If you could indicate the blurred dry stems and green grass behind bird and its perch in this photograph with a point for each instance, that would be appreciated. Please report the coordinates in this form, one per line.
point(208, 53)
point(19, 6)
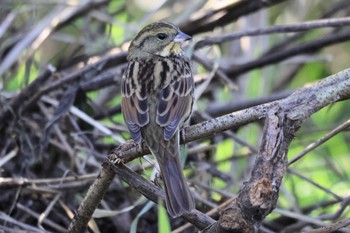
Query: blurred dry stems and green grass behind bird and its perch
point(60, 67)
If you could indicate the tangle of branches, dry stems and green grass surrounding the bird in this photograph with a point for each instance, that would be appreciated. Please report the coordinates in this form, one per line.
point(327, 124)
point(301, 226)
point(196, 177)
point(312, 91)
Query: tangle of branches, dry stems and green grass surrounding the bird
point(258, 155)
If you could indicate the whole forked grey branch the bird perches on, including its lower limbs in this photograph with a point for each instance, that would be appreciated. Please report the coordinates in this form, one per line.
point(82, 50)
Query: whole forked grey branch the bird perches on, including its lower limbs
point(258, 197)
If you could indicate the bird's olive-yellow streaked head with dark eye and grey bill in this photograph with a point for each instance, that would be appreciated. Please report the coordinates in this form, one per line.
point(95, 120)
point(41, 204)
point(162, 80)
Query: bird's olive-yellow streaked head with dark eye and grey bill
point(161, 39)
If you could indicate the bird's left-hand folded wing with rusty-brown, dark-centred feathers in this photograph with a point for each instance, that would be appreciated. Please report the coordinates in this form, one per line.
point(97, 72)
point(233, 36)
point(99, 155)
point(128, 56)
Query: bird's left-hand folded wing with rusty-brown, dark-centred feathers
point(134, 105)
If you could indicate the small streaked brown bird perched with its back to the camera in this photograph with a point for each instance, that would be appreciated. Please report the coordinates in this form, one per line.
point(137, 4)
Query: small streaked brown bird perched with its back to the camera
point(157, 100)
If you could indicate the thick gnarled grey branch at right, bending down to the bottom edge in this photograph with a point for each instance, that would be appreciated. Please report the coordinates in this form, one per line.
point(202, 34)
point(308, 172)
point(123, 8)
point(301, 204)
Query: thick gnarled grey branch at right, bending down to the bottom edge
point(258, 197)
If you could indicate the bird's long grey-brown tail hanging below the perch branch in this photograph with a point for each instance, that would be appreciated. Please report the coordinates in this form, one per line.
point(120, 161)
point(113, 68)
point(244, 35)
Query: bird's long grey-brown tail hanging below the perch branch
point(178, 196)
